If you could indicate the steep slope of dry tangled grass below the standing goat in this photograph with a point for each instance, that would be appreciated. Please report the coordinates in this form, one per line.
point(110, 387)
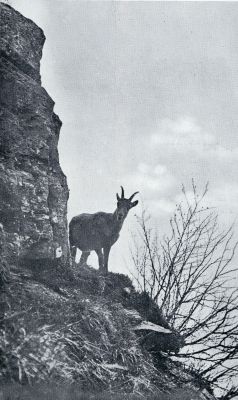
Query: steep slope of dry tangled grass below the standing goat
point(75, 341)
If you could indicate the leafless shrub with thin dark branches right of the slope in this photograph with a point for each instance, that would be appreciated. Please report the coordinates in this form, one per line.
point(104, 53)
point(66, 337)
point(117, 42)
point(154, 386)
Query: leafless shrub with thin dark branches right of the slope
point(190, 275)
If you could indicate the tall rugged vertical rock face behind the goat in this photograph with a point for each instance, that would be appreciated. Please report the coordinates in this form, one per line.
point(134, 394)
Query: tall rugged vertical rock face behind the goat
point(33, 188)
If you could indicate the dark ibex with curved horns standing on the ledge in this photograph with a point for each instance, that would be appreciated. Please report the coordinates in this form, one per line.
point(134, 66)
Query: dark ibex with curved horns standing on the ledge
point(99, 231)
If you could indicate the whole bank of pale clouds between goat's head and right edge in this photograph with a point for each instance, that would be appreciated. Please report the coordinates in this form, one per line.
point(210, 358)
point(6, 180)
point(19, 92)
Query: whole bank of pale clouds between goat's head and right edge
point(185, 150)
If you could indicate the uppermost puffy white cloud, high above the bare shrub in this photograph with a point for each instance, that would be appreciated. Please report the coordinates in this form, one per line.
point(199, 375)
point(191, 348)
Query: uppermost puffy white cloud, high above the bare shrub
point(185, 136)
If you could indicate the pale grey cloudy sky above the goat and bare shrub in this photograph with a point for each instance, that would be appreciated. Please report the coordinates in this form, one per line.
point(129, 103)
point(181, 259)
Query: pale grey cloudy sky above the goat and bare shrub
point(148, 96)
